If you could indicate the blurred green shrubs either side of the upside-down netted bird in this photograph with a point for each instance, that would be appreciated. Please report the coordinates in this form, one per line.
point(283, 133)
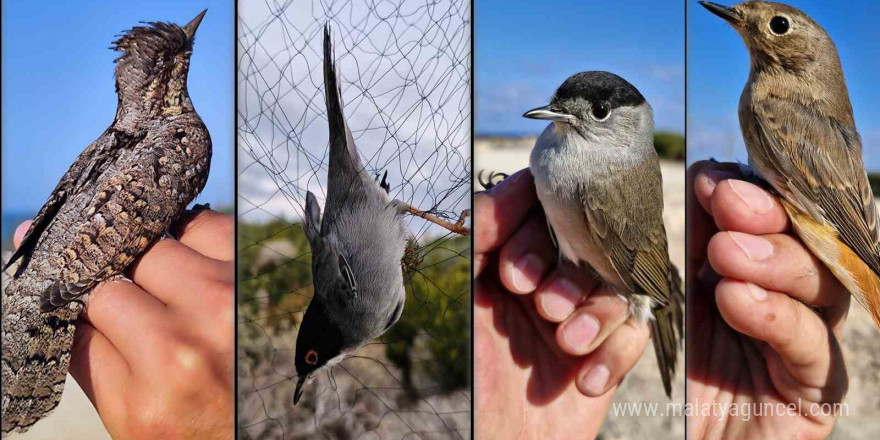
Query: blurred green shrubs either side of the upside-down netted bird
point(429, 344)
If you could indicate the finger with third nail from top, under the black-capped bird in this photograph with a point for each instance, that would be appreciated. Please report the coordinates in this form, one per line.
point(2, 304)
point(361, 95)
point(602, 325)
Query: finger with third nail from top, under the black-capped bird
point(588, 326)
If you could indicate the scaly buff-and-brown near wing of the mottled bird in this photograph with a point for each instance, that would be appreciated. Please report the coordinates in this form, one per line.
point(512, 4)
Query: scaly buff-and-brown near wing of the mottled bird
point(129, 210)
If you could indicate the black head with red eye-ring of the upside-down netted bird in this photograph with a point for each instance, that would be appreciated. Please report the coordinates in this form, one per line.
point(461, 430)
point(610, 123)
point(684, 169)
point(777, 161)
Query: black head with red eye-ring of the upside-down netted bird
point(318, 343)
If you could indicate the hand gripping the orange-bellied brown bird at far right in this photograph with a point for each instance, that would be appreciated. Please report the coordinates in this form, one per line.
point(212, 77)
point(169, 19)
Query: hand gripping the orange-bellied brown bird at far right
point(765, 316)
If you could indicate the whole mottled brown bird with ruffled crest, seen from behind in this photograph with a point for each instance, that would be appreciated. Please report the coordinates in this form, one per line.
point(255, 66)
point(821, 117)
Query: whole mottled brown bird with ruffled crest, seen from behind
point(117, 198)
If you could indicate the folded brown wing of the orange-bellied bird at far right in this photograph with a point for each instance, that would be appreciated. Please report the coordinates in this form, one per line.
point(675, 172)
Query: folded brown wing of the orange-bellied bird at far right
point(819, 166)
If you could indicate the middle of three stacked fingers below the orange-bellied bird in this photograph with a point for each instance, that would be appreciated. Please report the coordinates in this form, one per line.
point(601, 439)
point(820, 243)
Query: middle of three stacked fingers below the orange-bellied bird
point(776, 262)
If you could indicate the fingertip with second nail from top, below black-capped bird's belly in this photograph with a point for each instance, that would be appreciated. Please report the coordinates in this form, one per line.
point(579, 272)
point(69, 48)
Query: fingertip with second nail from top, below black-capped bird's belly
point(562, 291)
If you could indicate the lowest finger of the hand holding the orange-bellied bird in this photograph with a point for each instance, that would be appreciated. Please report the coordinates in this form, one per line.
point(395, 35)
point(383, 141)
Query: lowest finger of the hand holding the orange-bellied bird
point(794, 331)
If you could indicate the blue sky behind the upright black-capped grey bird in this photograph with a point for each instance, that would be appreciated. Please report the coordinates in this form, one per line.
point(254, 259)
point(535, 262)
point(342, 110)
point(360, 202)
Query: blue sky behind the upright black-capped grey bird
point(525, 49)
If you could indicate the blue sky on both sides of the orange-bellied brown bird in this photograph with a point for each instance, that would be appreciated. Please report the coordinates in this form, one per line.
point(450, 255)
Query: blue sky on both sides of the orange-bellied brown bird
point(718, 67)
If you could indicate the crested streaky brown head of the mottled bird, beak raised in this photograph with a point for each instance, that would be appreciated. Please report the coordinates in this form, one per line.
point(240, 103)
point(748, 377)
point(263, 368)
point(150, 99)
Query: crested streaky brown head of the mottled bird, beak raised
point(152, 70)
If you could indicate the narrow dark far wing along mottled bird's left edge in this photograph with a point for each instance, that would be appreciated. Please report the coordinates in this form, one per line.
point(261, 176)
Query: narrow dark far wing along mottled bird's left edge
point(90, 163)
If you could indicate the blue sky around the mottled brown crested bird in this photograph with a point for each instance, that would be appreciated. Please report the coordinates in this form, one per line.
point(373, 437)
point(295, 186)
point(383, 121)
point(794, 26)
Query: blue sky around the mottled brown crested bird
point(58, 92)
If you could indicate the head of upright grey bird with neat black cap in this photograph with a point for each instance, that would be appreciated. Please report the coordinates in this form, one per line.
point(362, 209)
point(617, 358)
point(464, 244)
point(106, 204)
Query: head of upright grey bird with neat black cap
point(597, 102)
